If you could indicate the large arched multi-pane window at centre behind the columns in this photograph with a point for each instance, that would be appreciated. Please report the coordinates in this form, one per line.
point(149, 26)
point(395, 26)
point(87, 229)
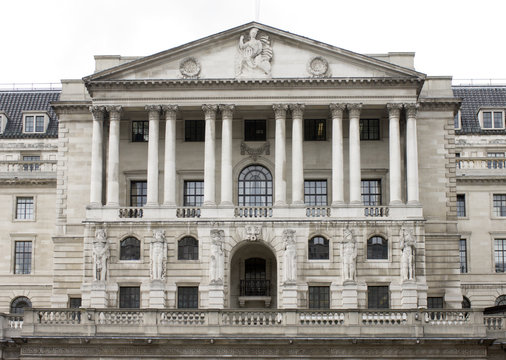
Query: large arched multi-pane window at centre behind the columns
point(255, 186)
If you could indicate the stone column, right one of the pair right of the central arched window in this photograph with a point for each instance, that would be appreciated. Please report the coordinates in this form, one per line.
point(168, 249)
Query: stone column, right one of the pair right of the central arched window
point(297, 154)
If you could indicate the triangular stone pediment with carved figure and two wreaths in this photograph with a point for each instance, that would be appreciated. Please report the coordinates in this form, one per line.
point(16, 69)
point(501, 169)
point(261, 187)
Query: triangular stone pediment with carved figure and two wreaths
point(261, 53)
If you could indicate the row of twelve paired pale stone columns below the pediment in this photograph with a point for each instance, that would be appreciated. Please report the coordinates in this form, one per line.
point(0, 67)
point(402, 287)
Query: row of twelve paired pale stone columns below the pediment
point(155, 113)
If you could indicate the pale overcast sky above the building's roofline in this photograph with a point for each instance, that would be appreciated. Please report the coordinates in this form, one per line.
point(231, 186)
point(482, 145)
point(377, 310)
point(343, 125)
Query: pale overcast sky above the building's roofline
point(49, 40)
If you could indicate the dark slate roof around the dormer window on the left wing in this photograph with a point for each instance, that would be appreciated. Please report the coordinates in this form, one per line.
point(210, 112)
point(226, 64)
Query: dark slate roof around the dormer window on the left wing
point(13, 103)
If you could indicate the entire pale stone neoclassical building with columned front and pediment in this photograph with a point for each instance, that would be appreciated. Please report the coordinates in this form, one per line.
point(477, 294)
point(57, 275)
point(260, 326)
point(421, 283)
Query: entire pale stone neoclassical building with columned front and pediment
point(251, 194)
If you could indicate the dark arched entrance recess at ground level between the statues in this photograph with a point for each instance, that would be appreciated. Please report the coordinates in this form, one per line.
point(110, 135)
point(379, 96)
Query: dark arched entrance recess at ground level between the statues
point(253, 277)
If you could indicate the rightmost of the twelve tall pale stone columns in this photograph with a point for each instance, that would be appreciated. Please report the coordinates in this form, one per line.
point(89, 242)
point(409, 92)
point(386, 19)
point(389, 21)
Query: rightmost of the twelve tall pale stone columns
point(411, 153)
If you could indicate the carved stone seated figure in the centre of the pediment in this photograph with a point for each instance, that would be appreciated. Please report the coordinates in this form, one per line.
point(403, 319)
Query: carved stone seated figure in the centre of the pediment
point(254, 55)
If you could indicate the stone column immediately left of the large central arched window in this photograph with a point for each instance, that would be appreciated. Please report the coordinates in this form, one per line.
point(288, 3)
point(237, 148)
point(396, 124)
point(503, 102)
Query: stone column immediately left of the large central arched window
point(226, 154)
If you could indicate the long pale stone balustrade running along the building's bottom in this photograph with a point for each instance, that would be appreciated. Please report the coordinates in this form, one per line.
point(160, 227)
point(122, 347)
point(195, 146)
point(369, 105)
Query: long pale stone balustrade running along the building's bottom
point(355, 323)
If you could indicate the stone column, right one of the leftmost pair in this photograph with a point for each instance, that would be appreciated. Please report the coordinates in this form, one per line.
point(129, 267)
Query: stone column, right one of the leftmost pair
point(113, 158)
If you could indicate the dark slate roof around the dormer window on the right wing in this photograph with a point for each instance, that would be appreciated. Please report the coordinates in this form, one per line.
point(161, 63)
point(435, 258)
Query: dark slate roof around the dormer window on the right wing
point(474, 98)
